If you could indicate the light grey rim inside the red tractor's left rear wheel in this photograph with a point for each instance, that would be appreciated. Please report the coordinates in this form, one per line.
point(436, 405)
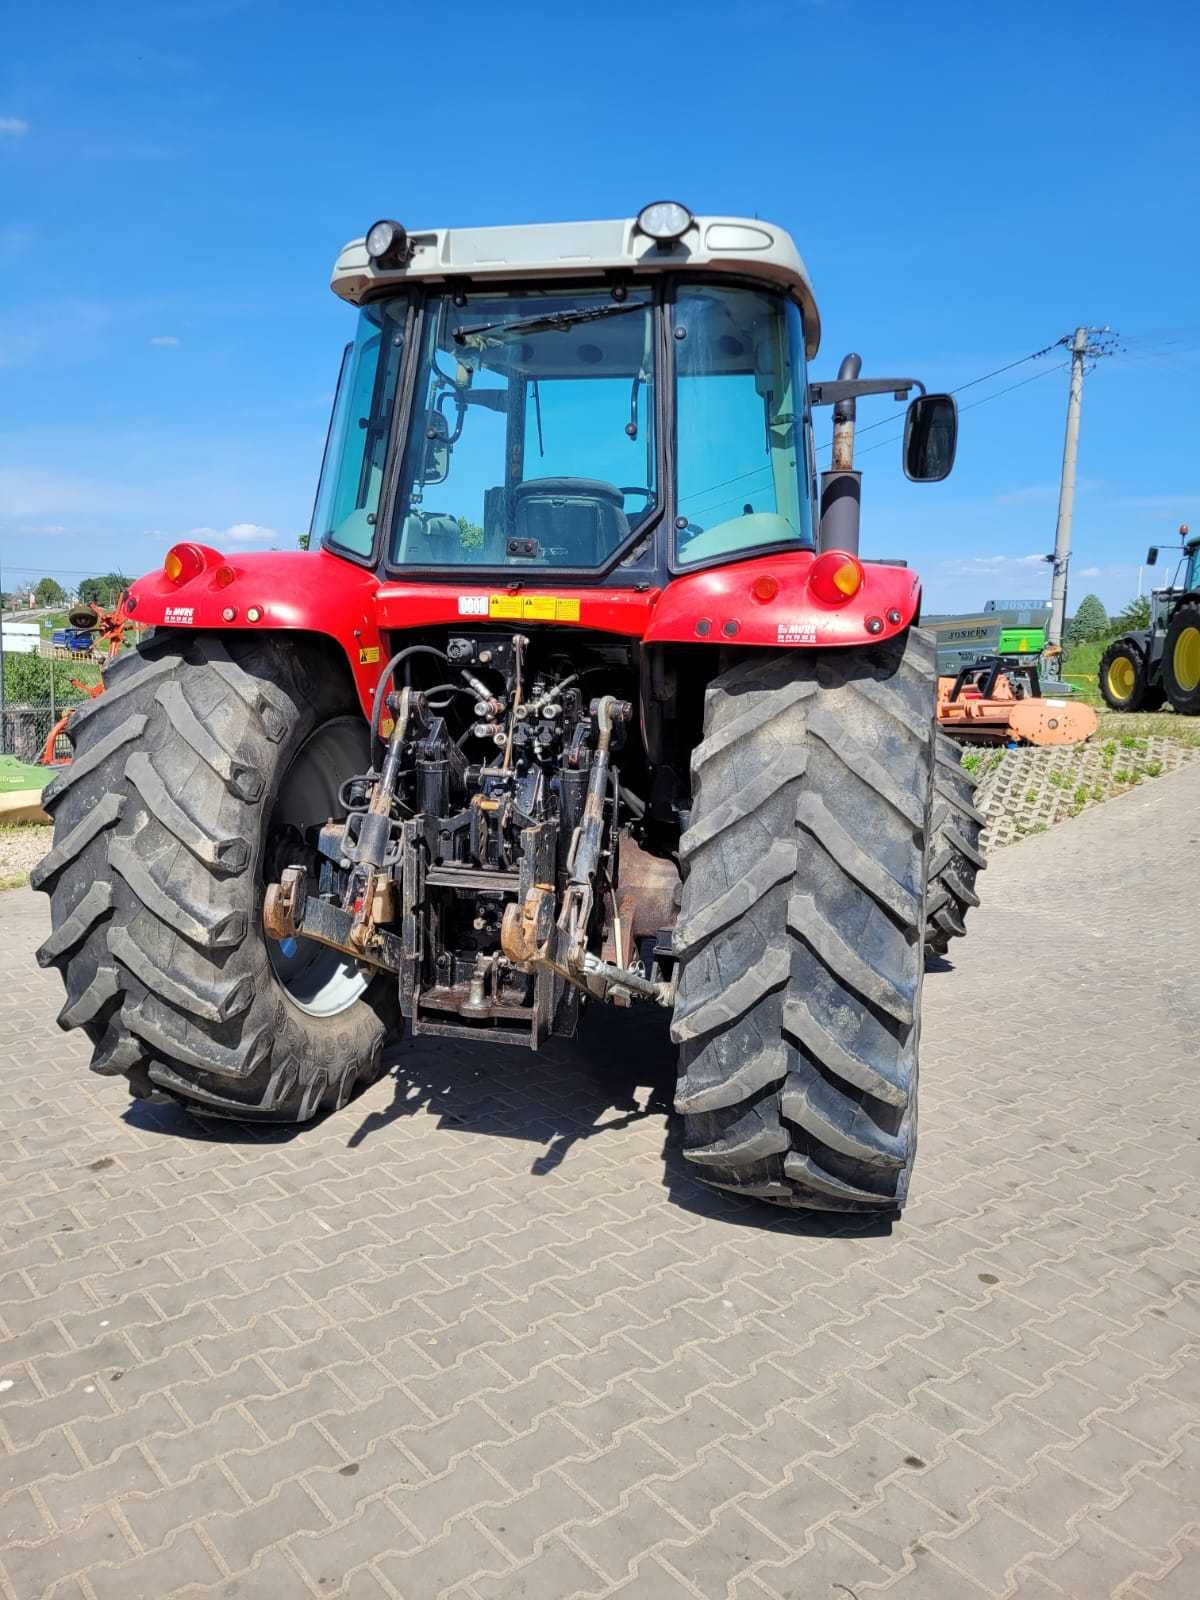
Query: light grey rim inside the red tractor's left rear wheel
point(314, 977)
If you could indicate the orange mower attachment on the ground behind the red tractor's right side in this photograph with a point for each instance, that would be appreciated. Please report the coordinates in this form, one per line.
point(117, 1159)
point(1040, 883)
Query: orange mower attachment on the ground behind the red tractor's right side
point(993, 703)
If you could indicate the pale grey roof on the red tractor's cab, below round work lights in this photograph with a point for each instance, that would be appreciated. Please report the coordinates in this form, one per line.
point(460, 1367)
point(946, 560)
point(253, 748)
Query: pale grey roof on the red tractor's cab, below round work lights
point(746, 247)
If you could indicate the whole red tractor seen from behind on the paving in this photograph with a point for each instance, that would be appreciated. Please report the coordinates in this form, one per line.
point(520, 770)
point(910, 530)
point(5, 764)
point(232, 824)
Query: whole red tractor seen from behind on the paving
point(583, 695)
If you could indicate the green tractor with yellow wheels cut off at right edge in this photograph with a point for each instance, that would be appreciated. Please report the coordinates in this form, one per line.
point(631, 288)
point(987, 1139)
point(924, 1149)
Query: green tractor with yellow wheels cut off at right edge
point(1161, 663)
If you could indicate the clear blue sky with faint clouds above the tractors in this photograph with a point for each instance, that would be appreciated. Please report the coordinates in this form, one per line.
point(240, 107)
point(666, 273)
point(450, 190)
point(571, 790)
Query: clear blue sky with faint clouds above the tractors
point(966, 182)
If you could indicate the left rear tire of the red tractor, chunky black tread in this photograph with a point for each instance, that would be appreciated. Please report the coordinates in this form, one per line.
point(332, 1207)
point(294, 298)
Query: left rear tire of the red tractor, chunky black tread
point(191, 785)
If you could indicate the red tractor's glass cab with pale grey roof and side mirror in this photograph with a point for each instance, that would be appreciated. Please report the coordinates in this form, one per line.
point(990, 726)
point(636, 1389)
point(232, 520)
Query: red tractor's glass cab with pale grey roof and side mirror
point(615, 404)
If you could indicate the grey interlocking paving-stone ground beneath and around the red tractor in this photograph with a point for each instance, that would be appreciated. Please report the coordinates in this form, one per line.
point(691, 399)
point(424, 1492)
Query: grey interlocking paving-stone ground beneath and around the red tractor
point(481, 1335)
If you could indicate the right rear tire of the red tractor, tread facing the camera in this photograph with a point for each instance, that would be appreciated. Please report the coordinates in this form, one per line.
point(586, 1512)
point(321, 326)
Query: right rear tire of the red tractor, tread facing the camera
point(802, 926)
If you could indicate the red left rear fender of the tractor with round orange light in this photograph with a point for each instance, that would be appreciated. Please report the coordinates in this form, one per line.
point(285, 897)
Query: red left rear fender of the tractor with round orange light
point(271, 593)
